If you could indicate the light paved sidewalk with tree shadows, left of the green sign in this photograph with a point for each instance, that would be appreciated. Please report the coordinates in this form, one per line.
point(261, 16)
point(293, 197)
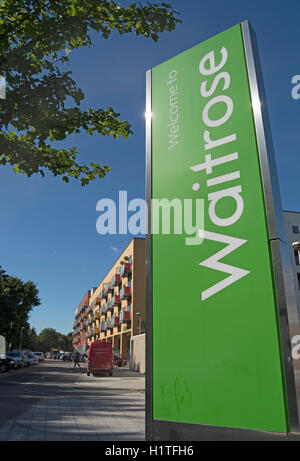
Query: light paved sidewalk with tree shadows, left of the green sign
point(106, 408)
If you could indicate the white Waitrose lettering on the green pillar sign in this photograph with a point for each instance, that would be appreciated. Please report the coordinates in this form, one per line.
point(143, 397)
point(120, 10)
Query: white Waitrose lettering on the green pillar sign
point(208, 66)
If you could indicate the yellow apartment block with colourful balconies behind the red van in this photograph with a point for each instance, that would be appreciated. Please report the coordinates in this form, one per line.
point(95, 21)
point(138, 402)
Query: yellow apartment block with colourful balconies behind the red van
point(116, 308)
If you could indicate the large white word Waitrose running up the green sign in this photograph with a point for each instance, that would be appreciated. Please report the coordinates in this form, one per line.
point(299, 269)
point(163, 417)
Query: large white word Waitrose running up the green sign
point(211, 166)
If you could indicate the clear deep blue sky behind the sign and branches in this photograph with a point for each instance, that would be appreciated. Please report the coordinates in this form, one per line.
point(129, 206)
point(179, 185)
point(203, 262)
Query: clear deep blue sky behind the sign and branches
point(48, 228)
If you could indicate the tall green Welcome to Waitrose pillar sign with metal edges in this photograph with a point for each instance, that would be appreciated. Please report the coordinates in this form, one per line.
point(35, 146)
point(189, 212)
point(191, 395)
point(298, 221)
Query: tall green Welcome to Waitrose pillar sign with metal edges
point(215, 354)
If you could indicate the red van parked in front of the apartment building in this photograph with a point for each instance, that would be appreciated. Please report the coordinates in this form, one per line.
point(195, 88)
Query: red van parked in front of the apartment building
point(100, 358)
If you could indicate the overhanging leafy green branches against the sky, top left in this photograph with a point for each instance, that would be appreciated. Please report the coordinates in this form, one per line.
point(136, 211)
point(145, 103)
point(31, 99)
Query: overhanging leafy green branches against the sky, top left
point(43, 102)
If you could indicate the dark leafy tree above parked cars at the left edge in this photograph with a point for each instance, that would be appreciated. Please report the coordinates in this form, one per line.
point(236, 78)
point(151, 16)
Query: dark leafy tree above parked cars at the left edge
point(17, 299)
